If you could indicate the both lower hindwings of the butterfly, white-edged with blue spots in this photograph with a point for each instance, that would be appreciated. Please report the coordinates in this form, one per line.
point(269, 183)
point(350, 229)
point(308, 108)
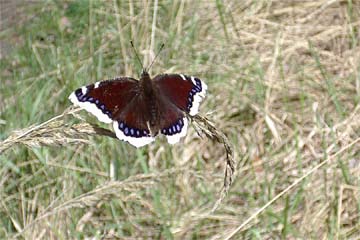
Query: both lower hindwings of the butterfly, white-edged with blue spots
point(138, 124)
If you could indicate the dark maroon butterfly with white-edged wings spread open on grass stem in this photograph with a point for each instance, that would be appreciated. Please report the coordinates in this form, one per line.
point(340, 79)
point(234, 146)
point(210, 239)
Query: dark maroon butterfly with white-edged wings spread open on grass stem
point(140, 110)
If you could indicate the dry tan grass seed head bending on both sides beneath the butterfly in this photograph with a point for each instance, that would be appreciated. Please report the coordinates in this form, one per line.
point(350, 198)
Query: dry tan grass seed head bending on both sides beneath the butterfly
point(56, 132)
